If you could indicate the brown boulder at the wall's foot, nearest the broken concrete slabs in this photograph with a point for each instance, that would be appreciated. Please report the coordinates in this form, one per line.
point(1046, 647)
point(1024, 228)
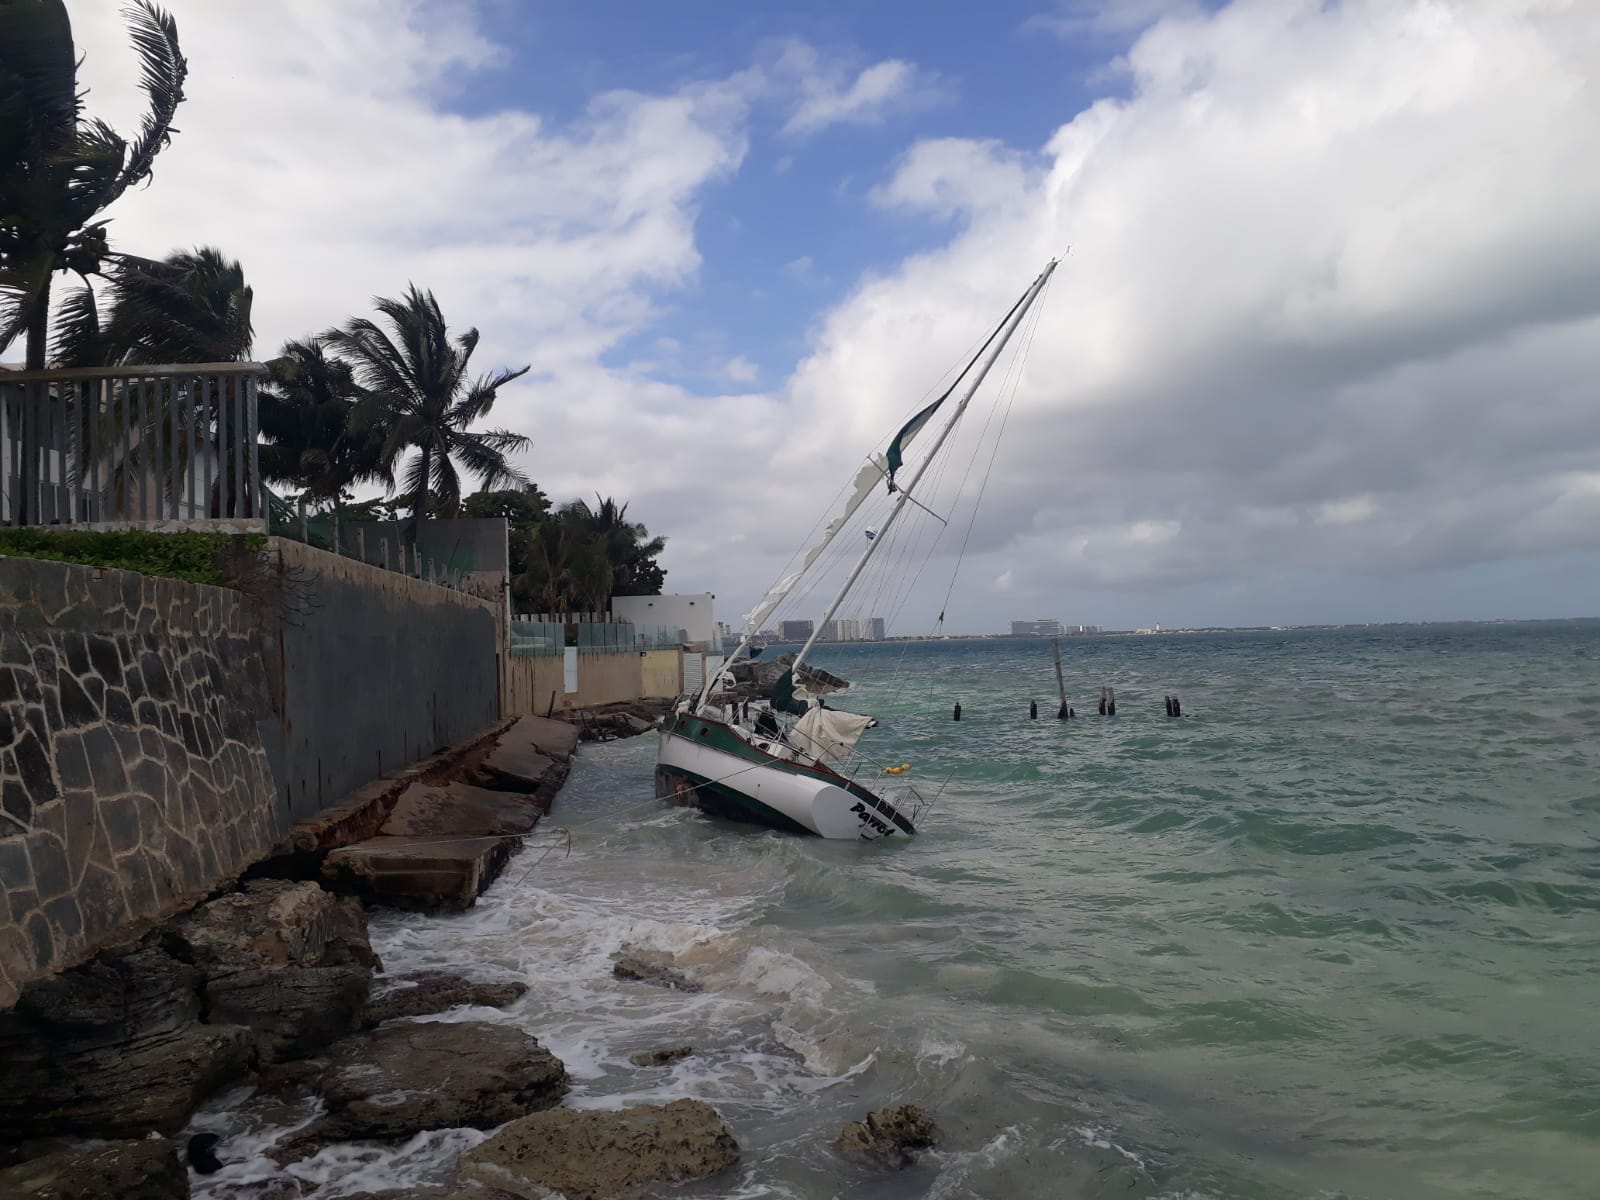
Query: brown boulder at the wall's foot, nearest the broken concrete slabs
point(287, 961)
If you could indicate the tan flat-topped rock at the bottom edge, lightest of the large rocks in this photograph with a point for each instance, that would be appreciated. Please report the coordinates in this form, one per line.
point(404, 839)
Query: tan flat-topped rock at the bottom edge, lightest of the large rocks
point(596, 1156)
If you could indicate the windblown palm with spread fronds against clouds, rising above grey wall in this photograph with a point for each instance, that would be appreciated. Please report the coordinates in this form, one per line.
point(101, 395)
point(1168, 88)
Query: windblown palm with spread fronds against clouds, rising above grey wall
point(422, 398)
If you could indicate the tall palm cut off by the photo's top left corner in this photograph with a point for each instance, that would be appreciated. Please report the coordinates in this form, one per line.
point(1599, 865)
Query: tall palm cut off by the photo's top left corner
point(62, 169)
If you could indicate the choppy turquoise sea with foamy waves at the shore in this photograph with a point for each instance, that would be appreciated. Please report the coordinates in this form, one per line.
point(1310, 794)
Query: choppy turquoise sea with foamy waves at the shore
point(1334, 934)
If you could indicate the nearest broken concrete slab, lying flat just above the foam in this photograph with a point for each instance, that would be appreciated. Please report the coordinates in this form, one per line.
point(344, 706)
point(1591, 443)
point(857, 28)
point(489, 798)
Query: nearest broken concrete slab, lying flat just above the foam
point(420, 873)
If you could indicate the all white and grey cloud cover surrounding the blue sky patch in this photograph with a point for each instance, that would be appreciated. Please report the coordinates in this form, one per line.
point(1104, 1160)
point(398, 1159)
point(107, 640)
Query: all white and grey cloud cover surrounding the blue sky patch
point(1334, 298)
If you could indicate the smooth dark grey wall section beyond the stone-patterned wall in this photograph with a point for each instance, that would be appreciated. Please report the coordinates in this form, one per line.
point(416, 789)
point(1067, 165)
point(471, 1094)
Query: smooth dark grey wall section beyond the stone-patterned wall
point(370, 671)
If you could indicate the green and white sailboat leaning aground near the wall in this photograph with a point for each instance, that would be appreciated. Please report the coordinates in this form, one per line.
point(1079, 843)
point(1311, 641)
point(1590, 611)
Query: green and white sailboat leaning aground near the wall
point(793, 767)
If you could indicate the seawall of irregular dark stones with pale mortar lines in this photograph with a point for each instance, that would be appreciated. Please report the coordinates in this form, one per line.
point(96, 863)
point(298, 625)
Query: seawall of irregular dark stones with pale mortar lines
point(134, 772)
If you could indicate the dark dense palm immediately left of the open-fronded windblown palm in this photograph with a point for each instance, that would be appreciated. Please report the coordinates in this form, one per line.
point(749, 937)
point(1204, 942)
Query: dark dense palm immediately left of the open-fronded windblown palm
point(306, 420)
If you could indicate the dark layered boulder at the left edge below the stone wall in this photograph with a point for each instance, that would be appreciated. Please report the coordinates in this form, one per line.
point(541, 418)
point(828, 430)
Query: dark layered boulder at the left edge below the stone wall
point(113, 1050)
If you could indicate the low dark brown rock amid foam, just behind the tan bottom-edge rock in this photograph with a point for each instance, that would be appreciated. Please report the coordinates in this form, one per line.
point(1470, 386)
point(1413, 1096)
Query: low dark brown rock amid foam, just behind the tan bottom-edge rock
point(407, 1078)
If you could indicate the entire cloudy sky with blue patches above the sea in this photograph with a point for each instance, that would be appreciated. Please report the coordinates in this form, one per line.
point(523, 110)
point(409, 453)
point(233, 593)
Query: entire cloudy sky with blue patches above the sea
point(1326, 345)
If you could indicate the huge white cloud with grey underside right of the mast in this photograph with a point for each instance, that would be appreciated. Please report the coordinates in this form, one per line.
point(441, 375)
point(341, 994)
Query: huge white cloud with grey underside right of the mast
point(1334, 300)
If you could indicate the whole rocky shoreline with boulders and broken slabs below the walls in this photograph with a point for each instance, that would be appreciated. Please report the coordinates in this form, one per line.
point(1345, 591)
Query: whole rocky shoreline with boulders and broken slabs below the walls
point(273, 985)
